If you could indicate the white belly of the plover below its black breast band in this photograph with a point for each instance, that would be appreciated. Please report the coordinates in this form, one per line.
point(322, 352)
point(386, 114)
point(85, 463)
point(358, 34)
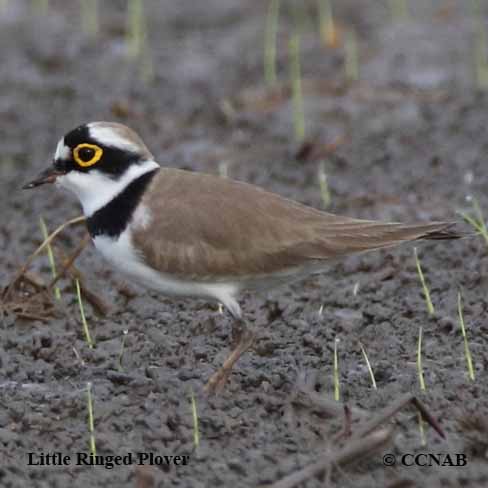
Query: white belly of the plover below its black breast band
point(122, 256)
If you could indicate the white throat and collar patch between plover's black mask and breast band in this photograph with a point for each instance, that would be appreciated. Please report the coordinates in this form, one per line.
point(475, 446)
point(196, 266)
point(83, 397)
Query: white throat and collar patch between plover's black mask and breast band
point(95, 189)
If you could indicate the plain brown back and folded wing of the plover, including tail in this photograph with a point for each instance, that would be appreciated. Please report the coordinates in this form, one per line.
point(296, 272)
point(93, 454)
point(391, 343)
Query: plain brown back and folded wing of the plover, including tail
point(211, 228)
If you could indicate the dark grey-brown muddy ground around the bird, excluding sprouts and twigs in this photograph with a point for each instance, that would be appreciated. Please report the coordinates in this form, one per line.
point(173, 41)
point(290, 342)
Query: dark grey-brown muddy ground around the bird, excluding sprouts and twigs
point(407, 142)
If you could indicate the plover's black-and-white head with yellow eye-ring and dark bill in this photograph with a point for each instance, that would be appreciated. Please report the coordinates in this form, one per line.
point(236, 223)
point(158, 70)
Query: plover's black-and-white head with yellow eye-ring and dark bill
point(96, 161)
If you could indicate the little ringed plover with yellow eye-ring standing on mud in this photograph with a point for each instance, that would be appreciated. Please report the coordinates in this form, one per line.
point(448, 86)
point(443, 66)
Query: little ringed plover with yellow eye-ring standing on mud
point(191, 234)
